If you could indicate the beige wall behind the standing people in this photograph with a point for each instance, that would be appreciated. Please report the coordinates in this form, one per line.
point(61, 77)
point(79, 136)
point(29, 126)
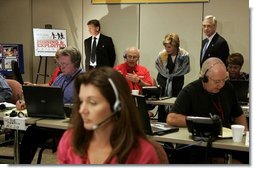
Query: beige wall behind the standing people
point(143, 25)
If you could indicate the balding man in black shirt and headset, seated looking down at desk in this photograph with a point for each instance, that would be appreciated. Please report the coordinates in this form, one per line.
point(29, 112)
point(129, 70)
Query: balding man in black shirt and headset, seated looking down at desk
point(211, 94)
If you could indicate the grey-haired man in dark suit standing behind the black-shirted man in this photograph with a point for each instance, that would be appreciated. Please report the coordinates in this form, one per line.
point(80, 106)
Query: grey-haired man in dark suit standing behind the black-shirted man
point(214, 45)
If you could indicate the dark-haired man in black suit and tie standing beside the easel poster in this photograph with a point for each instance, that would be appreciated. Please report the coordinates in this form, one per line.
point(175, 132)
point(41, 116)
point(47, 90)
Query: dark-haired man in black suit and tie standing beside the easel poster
point(99, 49)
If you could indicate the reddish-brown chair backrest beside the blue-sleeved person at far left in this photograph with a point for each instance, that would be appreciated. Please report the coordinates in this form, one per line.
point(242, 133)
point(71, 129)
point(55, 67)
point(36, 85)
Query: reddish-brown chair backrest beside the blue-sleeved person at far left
point(16, 88)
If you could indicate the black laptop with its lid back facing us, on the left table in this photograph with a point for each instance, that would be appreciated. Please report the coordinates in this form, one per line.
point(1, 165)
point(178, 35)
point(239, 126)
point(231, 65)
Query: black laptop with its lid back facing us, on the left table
point(45, 102)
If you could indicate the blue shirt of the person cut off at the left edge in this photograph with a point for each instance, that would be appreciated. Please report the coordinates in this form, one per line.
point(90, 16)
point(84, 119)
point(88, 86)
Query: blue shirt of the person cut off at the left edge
point(5, 90)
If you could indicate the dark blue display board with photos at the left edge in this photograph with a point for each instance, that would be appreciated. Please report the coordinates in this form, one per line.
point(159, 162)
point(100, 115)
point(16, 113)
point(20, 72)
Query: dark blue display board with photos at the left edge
point(9, 52)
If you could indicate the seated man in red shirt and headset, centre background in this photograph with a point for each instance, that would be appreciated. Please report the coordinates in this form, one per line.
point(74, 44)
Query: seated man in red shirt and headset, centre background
point(136, 75)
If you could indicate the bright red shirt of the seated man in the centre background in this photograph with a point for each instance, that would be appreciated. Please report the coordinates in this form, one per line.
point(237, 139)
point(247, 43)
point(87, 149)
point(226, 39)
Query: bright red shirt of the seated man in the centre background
point(141, 71)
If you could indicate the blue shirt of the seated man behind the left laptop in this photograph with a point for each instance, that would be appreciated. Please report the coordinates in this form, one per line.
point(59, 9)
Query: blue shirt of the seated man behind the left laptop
point(66, 82)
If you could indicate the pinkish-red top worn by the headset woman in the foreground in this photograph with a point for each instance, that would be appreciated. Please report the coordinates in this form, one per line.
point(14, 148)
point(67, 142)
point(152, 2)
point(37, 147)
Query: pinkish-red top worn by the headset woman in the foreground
point(145, 153)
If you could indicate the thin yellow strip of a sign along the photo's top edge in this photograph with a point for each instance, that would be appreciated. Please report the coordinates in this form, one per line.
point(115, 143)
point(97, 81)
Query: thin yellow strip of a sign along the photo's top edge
point(142, 1)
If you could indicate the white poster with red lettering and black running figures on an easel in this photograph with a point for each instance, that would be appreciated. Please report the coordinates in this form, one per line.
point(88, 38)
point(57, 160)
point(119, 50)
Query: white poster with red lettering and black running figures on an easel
point(48, 41)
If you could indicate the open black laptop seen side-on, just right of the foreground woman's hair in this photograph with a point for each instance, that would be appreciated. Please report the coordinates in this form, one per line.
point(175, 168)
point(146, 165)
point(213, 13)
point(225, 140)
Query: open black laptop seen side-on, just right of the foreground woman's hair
point(151, 127)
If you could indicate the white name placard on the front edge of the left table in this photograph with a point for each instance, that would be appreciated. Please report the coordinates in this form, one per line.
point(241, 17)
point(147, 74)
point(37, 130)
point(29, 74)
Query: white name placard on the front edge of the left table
point(15, 123)
